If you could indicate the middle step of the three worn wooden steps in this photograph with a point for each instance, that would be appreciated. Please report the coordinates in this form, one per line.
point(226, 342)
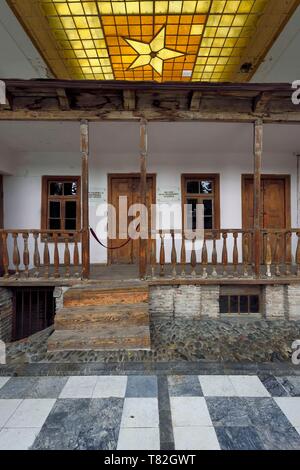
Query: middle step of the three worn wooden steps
point(89, 317)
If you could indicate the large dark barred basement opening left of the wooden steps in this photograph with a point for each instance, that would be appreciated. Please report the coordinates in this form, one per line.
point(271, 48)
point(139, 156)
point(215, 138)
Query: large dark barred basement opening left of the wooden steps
point(34, 310)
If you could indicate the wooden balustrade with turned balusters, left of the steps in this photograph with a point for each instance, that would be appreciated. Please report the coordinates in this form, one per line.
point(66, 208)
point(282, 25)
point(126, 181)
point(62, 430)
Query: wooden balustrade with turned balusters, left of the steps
point(58, 250)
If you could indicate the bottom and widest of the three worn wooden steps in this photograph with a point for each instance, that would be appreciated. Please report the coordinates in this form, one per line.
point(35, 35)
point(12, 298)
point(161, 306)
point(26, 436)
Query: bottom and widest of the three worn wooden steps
point(104, 338)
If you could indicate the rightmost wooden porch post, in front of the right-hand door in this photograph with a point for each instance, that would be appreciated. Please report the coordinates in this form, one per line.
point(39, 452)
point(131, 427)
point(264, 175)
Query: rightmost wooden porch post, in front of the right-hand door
point(258, 146)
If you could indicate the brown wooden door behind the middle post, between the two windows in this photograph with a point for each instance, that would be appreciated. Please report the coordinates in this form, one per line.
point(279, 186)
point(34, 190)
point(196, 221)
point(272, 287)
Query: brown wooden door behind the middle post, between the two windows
point(121, 252)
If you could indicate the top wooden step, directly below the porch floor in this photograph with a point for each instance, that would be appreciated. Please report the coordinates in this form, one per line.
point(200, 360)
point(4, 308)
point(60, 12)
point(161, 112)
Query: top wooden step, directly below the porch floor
point(78, 297)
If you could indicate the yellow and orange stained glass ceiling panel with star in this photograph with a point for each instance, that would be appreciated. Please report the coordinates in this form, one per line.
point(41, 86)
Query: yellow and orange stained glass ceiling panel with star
point(152, 40)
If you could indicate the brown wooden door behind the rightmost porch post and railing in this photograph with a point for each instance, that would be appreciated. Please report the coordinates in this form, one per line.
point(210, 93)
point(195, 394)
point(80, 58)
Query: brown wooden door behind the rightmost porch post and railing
point(275, 202)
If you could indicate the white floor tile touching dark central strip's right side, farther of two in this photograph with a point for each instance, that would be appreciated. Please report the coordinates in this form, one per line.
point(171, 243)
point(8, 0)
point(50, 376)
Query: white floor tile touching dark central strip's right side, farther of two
point(189, 411)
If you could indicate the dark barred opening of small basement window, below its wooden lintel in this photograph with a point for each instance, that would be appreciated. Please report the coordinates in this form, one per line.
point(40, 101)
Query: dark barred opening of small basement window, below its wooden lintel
point(239, 304)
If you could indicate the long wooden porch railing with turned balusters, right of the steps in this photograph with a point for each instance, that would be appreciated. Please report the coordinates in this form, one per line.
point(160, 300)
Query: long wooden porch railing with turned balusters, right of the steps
point(225, 253)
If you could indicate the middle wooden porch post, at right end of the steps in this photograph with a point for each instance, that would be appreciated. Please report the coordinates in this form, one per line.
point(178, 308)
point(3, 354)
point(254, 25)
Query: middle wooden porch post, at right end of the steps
point(143, 195)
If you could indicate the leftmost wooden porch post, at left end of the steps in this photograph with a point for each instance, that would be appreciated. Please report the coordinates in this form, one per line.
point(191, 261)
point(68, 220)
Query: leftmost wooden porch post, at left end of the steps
point(85, 245)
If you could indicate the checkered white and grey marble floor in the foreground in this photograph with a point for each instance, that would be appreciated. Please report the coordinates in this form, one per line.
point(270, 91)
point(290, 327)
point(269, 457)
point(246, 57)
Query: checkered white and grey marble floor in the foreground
point(132, 412)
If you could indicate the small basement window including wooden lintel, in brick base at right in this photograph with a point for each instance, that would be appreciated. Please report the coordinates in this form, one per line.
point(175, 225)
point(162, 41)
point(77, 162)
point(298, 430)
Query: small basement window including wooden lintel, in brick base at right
point(237, 301)
